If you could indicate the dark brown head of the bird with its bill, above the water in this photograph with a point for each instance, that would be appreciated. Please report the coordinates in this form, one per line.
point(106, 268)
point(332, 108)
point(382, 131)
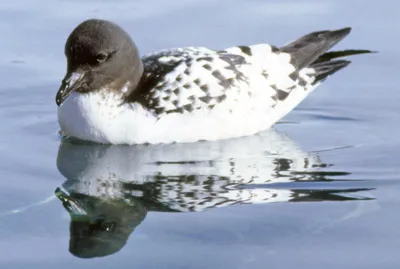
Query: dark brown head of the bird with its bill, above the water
point(99, 53)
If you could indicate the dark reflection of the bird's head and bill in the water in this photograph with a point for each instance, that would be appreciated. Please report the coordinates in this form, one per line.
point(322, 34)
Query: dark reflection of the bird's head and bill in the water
point(100, 226)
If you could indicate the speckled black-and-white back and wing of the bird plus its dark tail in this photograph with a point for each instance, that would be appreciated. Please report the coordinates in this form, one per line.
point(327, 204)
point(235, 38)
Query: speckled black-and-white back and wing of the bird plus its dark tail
point(195, 78)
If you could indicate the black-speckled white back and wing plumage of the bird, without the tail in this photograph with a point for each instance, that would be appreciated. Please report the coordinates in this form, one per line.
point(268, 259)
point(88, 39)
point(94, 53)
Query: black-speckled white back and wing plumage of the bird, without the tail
point(195, 78)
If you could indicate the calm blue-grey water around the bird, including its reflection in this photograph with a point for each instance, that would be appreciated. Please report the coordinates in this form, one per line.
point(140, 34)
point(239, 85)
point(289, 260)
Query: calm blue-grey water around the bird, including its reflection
point(321, 191)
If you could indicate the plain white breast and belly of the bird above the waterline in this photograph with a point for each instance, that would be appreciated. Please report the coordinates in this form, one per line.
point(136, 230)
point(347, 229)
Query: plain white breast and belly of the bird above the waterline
point(101, 118)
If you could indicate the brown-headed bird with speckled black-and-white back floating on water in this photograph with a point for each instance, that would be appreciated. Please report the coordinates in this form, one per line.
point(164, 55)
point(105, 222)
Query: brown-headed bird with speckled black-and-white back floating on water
point(112, 95)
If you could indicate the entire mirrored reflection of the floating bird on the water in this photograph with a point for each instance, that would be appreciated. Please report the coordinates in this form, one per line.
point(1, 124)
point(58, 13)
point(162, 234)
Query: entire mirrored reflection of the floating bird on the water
point(110, 189)
